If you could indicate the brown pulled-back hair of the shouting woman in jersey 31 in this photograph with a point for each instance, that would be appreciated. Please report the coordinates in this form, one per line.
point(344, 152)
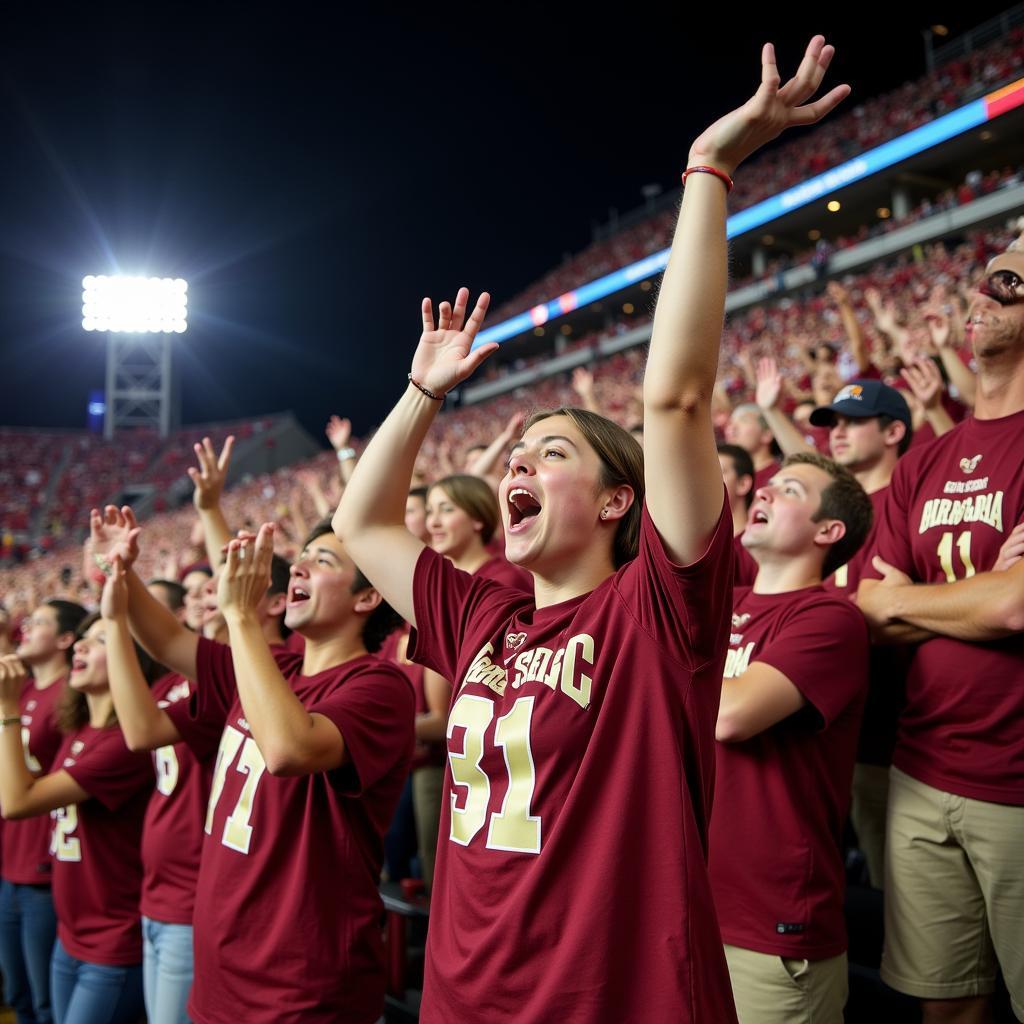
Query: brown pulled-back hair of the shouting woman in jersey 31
point(622, 463)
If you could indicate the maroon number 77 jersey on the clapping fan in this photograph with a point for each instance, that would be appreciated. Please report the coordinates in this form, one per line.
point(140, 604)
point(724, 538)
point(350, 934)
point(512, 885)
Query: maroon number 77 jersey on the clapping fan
point(288, 928)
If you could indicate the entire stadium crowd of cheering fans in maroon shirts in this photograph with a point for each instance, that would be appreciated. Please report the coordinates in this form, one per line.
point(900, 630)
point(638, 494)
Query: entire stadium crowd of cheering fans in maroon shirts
point(563, 657)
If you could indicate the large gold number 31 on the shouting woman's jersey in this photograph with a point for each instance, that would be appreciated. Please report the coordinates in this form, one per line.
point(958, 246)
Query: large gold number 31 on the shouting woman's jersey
point(513, 829)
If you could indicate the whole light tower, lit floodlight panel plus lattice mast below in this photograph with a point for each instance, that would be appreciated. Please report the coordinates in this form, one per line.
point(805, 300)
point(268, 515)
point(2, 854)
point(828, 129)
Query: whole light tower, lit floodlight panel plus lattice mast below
point(141, 316)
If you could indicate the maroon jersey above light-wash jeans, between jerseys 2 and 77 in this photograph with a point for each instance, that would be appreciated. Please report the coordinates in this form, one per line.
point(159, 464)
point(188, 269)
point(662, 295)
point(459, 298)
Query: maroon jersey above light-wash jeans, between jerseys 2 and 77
point(173, 837)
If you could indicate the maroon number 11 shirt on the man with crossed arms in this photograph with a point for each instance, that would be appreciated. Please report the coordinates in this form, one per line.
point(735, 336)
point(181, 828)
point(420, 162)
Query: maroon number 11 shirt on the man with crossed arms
point(953, 503)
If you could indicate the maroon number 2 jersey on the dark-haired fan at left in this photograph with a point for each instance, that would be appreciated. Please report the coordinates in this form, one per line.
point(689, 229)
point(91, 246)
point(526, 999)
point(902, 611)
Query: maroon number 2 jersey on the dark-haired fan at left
point(98, 868)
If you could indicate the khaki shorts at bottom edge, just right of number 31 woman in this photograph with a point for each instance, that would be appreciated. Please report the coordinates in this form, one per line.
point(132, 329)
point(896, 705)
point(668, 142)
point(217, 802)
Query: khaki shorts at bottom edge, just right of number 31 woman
point(773, 990)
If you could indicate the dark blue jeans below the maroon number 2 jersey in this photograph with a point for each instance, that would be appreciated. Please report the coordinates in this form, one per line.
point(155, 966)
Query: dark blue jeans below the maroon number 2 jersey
point(95, 994)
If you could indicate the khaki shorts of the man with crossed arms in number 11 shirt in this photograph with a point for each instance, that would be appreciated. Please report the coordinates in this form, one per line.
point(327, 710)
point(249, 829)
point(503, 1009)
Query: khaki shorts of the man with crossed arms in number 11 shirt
point(955, 894)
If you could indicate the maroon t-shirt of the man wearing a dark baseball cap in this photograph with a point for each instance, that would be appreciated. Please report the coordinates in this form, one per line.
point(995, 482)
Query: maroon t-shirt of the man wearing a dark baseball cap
point(889, 664)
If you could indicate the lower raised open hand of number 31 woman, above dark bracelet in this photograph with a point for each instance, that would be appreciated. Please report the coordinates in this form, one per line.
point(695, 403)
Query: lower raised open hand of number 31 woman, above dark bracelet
point(446, 356)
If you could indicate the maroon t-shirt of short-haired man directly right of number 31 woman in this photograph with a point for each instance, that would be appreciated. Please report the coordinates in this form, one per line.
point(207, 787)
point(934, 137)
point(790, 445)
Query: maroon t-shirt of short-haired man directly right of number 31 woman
point(783, 796)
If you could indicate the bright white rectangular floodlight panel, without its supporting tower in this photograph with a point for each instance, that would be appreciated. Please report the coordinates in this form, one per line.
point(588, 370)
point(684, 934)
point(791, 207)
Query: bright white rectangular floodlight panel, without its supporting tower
point(135, 306)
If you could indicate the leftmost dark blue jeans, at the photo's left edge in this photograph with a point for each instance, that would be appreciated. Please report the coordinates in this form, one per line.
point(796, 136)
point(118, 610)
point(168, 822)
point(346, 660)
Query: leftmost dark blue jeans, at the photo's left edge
point(28, 928)
